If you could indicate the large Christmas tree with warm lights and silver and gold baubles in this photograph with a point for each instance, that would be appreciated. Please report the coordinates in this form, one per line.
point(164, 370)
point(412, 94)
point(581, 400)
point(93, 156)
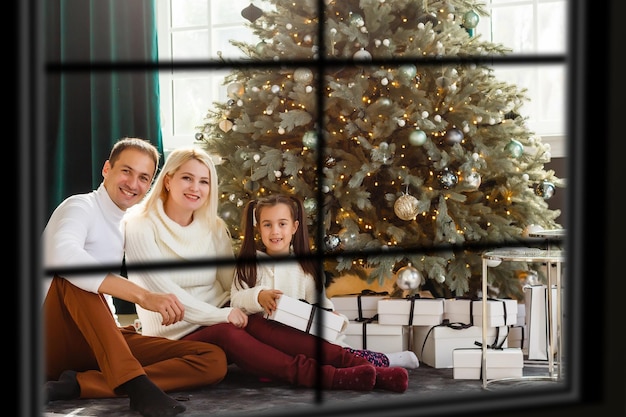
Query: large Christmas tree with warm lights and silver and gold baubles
point(386, 119)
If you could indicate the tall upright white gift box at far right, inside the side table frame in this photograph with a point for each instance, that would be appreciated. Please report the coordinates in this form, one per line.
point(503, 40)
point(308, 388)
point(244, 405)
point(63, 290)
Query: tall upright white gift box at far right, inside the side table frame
point(537, 320)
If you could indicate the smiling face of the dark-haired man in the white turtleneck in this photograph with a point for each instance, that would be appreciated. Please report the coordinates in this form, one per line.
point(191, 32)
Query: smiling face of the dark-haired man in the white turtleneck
point(128, 180)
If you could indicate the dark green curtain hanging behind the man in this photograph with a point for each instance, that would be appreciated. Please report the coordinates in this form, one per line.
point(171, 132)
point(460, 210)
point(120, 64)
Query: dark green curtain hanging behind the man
point(101, 85)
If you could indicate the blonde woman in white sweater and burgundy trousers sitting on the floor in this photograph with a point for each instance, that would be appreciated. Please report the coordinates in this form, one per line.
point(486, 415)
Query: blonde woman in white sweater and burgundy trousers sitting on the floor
point(178, 222)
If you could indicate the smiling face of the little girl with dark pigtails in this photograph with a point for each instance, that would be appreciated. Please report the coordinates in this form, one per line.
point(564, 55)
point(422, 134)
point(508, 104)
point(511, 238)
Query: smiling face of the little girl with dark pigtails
point(277, 227)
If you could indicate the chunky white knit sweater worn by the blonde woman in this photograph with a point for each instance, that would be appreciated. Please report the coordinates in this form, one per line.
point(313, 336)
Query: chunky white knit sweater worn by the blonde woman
point(203, 290)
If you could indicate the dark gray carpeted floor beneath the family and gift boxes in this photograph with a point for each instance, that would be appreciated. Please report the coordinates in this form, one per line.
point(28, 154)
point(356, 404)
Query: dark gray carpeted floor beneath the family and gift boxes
point(431, 391)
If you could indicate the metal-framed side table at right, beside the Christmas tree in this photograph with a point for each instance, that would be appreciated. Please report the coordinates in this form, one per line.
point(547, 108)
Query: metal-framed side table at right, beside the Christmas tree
point(550, 257)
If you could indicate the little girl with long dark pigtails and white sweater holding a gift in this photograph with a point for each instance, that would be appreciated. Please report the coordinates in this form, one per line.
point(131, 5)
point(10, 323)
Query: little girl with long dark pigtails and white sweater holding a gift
point(259, 283)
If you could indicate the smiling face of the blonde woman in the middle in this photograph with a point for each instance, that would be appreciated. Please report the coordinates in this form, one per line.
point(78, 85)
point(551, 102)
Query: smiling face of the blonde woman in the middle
point(188, 189)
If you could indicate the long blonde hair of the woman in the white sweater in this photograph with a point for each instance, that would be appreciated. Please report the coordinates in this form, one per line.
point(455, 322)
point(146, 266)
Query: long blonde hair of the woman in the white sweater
point(178, 157)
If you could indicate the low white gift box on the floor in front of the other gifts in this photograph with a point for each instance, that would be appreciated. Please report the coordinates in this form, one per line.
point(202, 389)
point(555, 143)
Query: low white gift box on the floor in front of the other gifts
point(500, 363)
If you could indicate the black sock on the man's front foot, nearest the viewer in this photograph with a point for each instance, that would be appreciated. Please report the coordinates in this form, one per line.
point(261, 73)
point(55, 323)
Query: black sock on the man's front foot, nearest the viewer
point(149, 400)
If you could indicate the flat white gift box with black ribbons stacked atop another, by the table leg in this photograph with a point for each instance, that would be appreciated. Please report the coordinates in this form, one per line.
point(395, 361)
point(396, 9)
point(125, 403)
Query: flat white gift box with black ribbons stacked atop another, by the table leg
point(500, 312)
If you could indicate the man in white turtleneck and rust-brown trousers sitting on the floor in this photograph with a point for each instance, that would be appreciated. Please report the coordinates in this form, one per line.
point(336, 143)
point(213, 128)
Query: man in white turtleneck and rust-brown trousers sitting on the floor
point(87, 355)
